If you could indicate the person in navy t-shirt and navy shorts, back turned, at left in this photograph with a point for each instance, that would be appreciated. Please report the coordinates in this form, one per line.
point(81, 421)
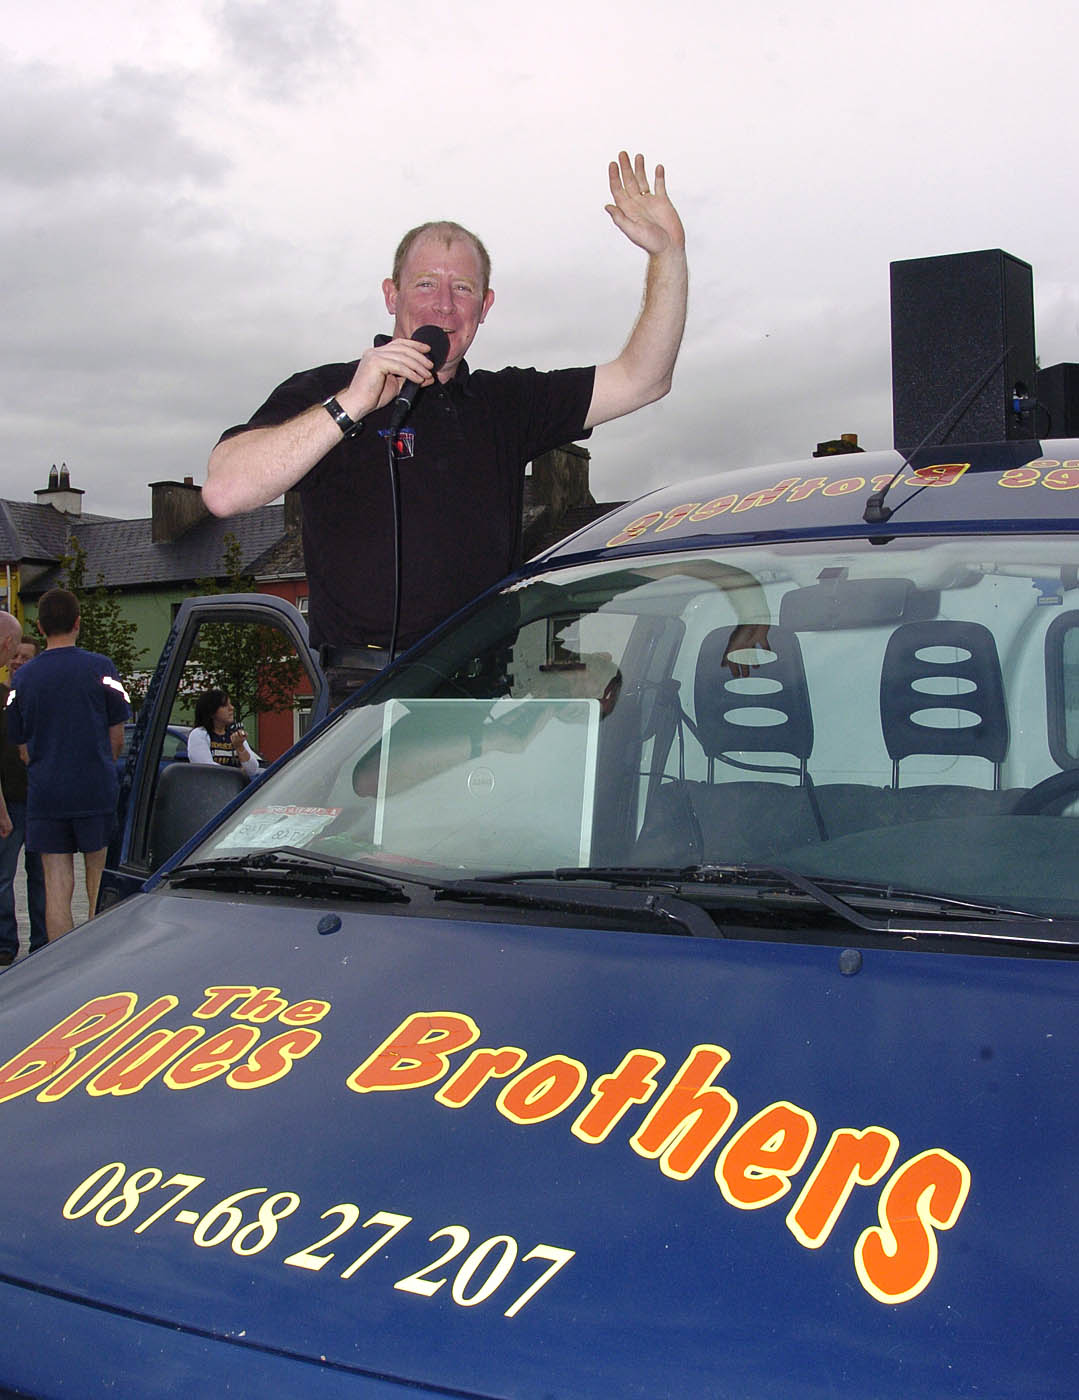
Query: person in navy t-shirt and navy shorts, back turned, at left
point(66, 712)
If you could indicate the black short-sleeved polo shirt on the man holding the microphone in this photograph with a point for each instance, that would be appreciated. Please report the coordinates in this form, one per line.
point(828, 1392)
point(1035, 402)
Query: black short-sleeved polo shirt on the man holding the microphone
point(461, 493)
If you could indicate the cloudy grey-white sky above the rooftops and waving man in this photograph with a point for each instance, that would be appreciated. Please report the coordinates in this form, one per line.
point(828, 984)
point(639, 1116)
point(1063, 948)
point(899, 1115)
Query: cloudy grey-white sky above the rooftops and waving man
point(199, 198)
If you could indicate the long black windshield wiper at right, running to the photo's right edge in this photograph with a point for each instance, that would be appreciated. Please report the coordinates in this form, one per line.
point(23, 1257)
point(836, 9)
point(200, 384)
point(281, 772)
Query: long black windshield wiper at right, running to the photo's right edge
point(941, 915)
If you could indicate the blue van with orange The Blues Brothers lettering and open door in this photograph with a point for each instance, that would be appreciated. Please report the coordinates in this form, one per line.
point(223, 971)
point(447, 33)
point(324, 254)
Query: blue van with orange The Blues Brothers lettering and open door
point(661, 982)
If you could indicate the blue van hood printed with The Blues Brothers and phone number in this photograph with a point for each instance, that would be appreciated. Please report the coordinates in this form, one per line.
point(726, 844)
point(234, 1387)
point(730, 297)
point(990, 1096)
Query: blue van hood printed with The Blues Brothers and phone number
point(486, 1160)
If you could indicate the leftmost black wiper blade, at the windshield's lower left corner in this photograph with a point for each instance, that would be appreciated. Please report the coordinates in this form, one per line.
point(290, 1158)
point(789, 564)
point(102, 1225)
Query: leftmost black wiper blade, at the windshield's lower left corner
point(292, 870)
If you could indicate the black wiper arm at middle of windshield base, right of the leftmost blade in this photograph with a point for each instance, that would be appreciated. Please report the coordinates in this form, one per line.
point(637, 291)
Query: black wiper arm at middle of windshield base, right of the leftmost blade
point(668, 912)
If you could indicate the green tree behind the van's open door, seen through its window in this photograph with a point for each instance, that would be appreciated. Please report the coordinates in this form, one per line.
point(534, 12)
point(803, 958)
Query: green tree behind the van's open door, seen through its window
point(257, 666)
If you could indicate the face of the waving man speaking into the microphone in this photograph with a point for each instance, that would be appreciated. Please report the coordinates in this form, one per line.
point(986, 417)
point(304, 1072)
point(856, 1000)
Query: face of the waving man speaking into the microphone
point(442, 285)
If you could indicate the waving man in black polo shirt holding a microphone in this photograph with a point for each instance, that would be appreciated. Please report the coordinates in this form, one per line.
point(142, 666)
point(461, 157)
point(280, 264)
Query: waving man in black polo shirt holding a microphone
point(464, 450)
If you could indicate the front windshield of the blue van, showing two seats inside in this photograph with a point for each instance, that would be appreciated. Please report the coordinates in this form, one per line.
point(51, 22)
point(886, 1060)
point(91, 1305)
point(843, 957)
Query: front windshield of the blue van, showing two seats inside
point(903, 715)
